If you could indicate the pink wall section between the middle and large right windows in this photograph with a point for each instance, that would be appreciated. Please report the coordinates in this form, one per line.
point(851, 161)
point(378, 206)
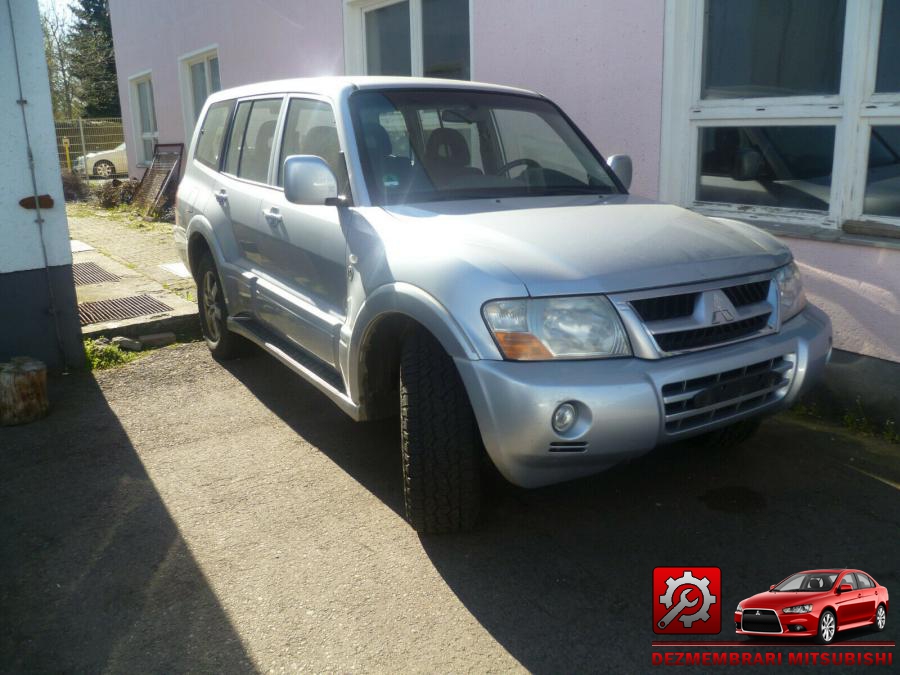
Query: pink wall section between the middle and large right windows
point(601, 60)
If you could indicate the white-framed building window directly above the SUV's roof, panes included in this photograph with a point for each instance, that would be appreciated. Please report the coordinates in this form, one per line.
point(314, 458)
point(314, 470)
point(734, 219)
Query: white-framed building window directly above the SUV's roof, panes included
point(427, 38)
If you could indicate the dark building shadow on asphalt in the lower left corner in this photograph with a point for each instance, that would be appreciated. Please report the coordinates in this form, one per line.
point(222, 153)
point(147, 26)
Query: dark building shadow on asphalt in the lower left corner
point(94, 574)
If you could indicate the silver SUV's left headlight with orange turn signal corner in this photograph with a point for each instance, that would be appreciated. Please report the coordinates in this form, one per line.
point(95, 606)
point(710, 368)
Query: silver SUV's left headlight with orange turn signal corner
point(538, 329)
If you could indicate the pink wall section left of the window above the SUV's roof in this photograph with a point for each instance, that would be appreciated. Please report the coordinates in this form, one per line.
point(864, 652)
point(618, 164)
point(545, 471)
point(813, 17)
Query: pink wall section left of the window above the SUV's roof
point(257, 40)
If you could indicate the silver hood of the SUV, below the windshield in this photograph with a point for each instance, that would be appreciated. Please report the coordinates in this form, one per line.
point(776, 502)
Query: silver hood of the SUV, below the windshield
point(570, 245)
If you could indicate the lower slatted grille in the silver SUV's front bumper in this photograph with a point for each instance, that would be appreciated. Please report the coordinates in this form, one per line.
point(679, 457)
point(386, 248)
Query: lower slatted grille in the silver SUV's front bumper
point(694, 403)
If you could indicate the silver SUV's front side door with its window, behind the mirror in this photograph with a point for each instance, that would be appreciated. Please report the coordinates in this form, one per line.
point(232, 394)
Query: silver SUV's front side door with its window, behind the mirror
point(307, 292)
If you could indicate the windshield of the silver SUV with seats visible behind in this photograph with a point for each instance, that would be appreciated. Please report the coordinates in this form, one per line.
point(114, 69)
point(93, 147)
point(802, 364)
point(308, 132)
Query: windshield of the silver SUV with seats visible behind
point(429, 145)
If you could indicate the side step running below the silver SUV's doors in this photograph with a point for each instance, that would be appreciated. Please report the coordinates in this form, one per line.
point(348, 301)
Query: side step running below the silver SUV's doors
point(318, 374)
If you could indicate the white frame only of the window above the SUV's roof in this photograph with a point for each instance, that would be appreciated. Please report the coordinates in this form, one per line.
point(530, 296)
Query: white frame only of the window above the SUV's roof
point(355, 35)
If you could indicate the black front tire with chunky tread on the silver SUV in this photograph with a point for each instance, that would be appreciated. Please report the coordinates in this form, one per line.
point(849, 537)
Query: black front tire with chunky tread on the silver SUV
point(440, 442)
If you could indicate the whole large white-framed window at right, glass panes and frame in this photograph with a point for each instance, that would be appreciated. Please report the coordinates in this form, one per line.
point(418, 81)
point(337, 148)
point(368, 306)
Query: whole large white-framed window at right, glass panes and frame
point(785, 111)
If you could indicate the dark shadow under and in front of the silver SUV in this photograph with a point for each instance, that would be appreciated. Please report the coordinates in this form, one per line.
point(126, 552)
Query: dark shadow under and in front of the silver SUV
point(561, 576)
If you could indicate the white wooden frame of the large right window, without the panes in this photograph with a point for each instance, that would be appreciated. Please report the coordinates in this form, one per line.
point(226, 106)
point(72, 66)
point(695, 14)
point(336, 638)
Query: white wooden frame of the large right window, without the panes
point(852, 111)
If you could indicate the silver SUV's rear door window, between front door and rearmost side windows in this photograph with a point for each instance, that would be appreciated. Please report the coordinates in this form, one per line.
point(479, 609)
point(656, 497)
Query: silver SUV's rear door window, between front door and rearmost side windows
point(252, 136)
